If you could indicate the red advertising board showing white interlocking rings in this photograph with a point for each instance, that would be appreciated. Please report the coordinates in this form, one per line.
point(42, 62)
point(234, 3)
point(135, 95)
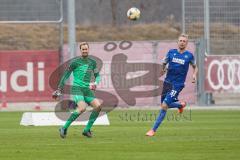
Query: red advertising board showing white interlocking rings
point(222, 73)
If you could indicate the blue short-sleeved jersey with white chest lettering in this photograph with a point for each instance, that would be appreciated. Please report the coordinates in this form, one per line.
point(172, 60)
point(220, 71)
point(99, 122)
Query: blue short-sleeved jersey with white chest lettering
point(178, 64)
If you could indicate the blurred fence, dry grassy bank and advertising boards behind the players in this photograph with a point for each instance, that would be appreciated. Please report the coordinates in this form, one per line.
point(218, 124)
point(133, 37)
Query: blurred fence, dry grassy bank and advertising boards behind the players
point(37, 36)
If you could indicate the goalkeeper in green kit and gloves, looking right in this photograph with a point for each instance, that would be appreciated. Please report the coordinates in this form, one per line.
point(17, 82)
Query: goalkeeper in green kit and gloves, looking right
point(83, 90)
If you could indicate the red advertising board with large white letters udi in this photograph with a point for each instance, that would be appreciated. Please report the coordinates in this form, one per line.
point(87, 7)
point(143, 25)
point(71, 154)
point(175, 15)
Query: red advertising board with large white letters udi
point(24, 75)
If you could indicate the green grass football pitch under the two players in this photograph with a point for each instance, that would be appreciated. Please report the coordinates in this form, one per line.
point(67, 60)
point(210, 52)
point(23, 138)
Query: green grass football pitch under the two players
point(213, 135)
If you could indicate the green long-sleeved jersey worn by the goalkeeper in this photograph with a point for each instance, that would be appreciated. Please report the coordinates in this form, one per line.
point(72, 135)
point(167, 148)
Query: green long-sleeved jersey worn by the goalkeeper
point(83, 70)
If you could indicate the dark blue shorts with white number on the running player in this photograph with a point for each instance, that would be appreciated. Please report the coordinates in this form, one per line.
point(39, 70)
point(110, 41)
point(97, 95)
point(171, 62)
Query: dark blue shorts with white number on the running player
point(170, 94)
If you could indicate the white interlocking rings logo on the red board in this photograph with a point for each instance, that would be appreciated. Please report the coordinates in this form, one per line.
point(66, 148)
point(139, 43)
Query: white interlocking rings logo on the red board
point(224, 74)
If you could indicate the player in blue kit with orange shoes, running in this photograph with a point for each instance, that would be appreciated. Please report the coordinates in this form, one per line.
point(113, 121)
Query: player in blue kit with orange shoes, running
point(178, 61)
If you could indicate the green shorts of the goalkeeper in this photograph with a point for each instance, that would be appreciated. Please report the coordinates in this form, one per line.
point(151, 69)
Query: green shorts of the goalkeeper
point(83, 94)
